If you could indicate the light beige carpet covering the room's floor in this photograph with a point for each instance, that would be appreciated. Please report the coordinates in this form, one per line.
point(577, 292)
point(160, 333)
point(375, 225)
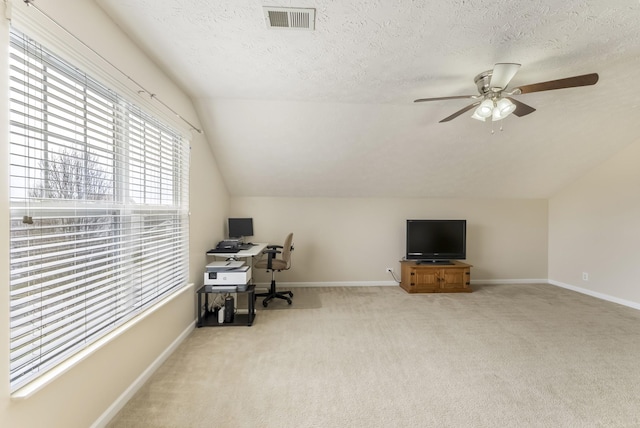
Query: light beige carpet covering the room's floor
point(504, 356)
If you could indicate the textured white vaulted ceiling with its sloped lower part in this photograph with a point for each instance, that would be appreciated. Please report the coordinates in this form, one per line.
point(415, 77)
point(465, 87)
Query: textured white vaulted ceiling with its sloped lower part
point(330, 112)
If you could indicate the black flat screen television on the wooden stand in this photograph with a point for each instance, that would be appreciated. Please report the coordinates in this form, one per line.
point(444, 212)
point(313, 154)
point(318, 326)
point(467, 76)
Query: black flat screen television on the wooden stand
point(436, 241)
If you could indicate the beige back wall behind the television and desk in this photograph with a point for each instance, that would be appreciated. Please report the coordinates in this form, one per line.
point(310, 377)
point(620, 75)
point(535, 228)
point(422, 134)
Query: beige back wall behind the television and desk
point(355, 239)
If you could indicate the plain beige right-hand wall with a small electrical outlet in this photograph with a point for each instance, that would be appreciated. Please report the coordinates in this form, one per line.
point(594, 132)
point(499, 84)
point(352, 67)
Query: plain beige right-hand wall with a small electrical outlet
point(594, 227)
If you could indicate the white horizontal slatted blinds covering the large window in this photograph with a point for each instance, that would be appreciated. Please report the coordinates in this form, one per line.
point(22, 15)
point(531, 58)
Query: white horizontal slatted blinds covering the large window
point(99, 210)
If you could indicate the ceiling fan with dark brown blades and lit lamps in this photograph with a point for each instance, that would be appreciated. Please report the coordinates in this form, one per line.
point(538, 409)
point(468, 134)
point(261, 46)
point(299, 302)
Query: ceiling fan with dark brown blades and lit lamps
point(495, 101)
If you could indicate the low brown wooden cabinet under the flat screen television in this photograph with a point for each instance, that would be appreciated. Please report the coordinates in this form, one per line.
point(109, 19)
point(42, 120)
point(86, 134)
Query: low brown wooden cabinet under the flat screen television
point(454, 277)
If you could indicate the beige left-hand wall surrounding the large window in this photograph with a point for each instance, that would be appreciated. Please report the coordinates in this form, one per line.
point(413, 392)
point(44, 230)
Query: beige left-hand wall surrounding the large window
point(80, 396)
